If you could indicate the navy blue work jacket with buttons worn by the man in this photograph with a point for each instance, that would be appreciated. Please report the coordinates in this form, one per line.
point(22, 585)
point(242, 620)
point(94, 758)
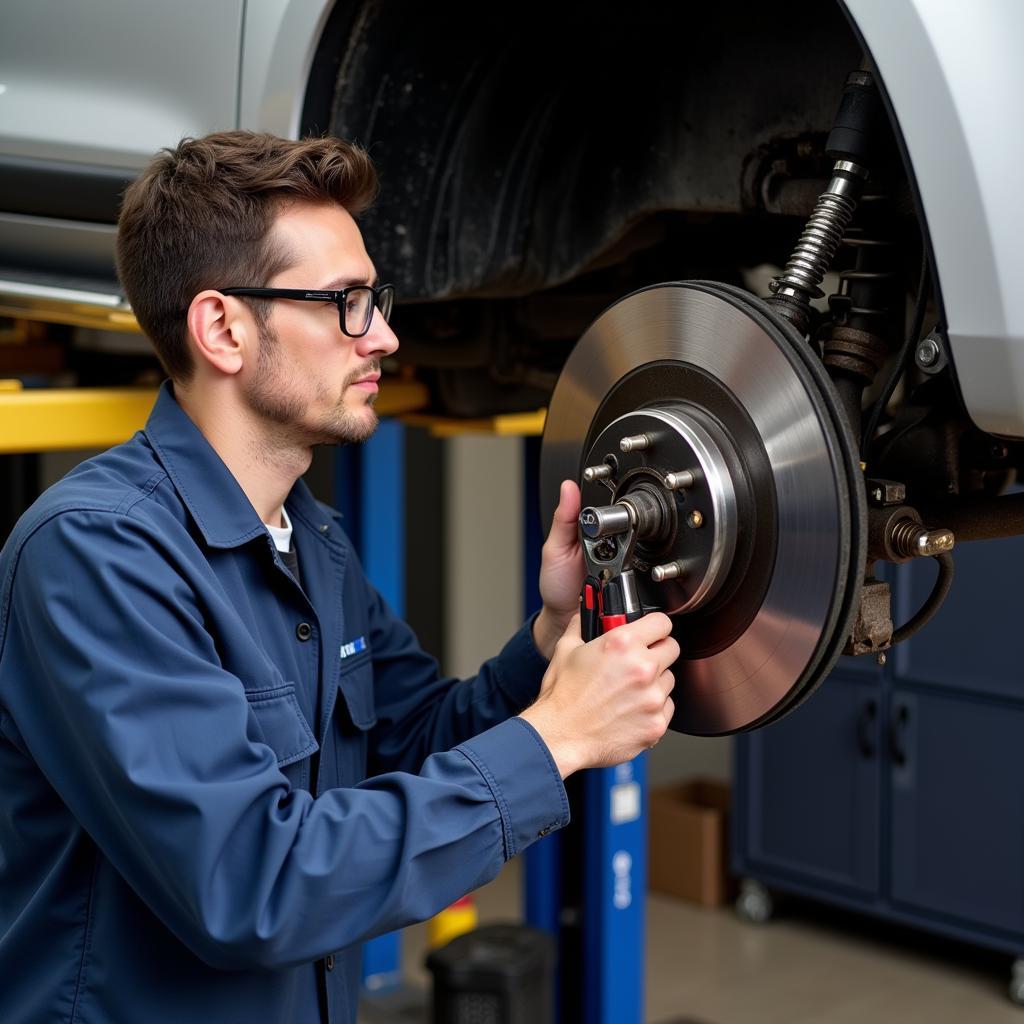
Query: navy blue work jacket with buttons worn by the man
point(216, 783)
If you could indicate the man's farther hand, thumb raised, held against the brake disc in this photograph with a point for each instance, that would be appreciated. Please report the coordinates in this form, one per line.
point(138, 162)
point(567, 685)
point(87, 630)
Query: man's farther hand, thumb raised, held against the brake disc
point(563, 570)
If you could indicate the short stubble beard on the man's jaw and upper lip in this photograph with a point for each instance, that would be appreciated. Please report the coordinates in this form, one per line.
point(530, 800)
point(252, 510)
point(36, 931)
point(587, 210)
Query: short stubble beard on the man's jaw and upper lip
point(271, 399)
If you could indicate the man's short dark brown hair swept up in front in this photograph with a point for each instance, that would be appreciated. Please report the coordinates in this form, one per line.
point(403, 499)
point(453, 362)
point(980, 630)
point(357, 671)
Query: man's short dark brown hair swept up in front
point(200, 217)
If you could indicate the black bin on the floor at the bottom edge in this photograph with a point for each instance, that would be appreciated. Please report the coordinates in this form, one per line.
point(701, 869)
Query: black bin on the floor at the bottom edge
point(499, 974)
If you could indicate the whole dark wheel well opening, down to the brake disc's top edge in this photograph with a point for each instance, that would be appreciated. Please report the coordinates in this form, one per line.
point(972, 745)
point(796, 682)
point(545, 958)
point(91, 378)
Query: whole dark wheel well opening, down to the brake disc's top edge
point(538, 165)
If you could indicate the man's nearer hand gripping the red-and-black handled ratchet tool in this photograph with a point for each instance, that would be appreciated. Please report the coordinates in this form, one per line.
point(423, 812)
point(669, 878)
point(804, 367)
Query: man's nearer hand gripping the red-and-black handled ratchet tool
point(606, 702)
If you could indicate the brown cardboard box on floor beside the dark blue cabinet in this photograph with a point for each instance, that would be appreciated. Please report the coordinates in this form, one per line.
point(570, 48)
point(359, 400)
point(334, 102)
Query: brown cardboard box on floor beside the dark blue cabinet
point(689, 841)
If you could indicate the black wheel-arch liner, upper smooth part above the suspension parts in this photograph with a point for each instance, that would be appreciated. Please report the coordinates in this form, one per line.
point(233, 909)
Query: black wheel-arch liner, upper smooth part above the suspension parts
point(516, 152)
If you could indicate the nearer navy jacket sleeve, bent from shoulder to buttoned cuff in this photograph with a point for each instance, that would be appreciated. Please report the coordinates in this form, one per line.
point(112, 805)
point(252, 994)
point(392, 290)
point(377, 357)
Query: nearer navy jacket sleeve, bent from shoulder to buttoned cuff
point(117, 691)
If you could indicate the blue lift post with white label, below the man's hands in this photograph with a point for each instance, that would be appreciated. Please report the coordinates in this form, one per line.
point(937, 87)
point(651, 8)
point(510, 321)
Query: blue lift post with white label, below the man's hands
point(615, 855)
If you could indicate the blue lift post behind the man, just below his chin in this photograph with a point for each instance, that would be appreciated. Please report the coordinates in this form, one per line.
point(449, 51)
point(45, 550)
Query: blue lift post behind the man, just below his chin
point(370, 493)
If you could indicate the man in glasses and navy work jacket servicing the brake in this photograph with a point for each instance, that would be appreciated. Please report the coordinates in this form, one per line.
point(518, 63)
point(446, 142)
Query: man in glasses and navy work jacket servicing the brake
point(224, 762)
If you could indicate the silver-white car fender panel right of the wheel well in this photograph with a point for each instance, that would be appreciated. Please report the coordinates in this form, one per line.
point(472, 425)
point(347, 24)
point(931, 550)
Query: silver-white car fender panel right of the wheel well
point(955, 78)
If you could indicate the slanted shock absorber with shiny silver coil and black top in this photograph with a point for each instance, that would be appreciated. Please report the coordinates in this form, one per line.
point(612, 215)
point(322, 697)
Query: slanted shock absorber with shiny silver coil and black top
point(850, 146)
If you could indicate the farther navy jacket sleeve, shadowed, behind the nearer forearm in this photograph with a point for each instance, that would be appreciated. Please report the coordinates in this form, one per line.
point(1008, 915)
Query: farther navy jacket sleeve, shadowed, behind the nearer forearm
point(420, 712)
